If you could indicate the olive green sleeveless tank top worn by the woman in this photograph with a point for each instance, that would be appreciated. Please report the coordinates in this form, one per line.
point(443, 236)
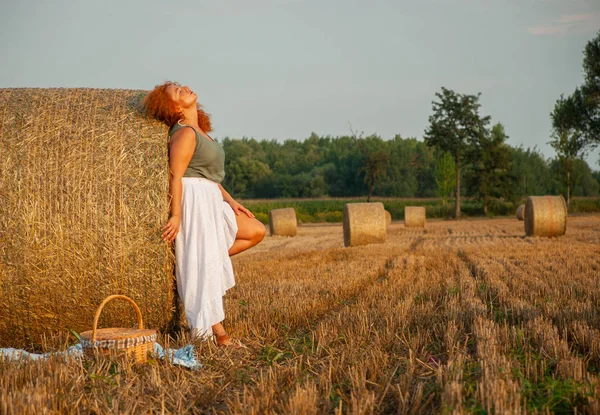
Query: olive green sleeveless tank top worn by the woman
point(208, 160)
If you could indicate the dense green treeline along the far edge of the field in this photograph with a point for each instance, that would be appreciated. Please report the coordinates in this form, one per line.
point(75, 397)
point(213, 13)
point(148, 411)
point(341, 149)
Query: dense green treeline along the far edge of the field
point(340, 167)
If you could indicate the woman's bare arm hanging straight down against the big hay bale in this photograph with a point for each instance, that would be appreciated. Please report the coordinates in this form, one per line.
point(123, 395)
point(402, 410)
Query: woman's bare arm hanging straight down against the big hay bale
point(182, 147)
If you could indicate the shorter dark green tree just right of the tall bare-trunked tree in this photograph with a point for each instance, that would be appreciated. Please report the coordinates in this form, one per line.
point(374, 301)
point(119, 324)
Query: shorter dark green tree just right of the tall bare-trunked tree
point(490, 166)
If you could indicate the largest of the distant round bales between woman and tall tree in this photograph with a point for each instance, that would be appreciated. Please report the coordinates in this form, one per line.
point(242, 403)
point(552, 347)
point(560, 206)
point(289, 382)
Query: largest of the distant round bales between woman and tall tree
point(364, 223)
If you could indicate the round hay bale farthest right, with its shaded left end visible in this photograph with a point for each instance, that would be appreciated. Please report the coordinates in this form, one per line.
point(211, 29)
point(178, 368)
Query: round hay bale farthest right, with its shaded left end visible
point(545, 216)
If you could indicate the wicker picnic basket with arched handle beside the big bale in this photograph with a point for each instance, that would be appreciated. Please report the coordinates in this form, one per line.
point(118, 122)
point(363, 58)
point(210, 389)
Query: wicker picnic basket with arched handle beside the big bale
point(134, 343)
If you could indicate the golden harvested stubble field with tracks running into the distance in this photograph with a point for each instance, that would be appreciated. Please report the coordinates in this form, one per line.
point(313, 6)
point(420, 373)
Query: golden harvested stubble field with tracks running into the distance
point(460, 317)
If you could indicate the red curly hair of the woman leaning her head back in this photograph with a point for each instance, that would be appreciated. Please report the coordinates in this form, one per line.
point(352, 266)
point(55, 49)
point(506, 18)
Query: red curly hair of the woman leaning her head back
point(159, 106)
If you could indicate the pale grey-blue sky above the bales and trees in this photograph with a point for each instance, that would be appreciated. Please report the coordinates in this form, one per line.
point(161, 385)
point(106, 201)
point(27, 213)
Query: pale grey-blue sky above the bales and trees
point(281, 69)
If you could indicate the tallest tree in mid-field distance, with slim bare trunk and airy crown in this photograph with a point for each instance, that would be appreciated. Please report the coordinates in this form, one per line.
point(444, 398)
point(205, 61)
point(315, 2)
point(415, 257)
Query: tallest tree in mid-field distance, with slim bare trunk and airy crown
point(454, 126)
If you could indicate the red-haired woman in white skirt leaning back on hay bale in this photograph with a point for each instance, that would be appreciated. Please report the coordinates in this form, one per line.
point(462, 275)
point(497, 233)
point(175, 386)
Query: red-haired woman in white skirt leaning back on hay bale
point(206, 223)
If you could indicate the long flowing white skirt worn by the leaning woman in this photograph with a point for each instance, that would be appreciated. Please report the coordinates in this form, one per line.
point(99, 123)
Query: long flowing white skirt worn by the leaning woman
point(203, 267)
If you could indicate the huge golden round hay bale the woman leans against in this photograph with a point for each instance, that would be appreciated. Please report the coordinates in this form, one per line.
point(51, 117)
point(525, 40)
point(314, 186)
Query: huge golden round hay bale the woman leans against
point(84, 182)
